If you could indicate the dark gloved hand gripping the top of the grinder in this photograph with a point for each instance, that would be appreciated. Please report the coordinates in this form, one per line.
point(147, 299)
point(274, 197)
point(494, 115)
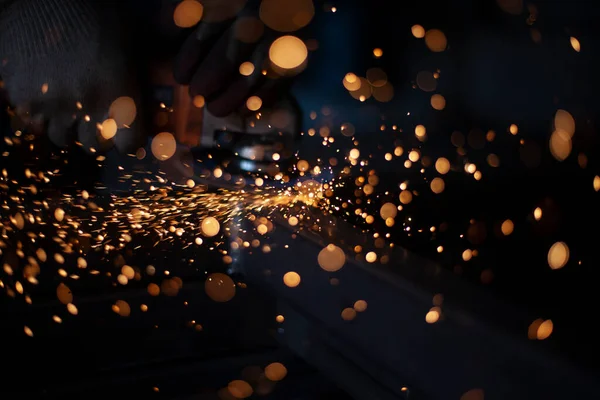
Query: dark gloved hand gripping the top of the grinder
point(226, 57)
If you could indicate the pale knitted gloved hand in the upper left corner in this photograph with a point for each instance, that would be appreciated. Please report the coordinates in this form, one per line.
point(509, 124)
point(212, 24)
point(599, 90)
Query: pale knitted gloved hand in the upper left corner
point(64, 63)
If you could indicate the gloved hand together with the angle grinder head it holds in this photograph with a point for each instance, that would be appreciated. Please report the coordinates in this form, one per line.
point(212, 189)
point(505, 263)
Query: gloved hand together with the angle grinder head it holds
point(228, 60)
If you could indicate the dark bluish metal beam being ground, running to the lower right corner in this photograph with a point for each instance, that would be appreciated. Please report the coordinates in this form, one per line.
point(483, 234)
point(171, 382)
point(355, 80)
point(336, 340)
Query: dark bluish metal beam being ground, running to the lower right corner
point(390, 345)
